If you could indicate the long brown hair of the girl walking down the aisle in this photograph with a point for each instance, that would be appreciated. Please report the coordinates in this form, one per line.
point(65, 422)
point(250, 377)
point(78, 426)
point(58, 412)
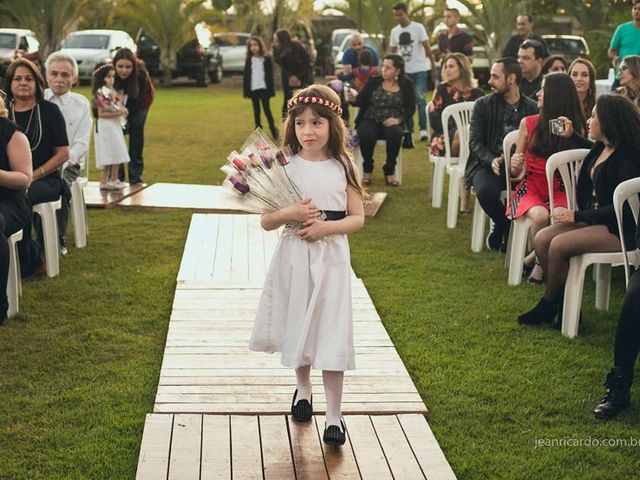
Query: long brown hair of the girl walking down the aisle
point(336, 146)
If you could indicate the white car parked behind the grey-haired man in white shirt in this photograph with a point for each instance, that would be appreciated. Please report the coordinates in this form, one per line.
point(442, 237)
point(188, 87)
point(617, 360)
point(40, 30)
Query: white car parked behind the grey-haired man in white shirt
point(91, 47)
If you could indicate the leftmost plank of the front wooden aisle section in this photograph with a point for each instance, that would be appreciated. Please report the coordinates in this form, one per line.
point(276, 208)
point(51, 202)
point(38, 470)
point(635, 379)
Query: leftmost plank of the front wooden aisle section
point(153, 461)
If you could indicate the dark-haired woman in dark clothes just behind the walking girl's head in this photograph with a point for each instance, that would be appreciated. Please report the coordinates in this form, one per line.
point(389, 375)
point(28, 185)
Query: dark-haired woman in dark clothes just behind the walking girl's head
point(294, 62)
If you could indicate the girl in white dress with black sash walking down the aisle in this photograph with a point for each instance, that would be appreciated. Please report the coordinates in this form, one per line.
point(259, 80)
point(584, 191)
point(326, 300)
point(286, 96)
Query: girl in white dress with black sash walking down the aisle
point(305, 308)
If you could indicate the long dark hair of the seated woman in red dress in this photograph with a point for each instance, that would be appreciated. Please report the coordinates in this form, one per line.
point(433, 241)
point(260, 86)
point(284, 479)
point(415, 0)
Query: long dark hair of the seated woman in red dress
point(560, 99)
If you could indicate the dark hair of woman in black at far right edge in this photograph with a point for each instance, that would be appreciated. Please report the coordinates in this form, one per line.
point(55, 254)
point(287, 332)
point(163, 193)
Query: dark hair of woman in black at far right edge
point(620, 122)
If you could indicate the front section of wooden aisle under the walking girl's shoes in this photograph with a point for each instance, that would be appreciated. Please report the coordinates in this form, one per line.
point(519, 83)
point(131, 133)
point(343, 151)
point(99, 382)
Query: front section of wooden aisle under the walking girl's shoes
point(276, 448)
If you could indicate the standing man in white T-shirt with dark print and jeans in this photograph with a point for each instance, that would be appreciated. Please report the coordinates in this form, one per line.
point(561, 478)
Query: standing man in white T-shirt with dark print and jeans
point(409, 39)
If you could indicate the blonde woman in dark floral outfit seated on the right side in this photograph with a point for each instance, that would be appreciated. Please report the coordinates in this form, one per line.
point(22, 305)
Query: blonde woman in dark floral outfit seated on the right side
point(458, 86)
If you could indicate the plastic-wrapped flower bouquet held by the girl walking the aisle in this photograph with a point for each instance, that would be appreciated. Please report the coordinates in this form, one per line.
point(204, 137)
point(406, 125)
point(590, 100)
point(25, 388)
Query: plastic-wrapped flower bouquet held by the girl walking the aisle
point(258, 175)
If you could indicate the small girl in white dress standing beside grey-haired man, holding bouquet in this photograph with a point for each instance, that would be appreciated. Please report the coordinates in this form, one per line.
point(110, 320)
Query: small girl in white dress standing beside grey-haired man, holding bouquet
point(110, 146)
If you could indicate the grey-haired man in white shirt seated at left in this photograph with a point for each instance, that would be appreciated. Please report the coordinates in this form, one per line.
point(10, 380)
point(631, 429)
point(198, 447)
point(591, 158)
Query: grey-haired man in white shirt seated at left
point(62, 72)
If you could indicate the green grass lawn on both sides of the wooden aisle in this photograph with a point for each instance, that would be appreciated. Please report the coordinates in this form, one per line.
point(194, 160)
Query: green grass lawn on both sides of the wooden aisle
point(80, 363)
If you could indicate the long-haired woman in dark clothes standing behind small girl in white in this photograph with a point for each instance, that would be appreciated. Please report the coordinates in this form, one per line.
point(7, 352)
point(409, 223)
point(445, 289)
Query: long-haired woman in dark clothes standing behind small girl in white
point(133, 80)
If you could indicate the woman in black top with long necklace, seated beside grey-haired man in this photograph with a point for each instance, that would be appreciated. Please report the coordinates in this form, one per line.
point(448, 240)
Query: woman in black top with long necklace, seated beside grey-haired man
point(45, 128)
